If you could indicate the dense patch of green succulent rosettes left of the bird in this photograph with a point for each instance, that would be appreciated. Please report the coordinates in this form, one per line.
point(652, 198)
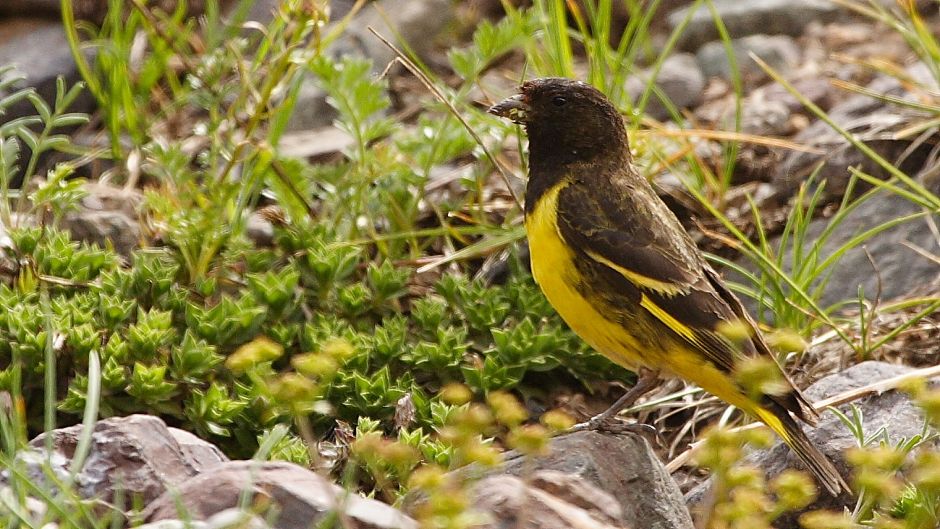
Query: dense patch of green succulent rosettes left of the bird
point(309, 322)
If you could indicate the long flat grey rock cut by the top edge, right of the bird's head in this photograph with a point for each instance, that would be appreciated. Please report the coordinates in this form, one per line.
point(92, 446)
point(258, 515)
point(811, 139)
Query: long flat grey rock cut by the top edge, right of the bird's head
point(775, 17)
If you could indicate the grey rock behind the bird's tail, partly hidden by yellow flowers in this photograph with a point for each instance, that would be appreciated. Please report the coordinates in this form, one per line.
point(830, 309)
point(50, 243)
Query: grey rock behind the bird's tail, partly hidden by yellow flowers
point(891, 411)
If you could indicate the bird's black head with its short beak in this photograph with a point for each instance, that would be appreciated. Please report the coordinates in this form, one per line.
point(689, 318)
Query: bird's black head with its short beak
point(567, 121)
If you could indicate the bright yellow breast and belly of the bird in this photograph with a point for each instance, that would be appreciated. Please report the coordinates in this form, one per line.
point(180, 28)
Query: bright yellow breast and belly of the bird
point(555, 272)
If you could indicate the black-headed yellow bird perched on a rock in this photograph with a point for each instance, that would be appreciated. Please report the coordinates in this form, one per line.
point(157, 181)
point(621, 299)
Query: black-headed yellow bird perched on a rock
point(623, 273)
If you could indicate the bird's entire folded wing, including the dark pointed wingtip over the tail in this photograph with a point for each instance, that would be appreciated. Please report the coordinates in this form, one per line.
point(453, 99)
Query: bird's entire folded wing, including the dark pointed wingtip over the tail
point(674, 284)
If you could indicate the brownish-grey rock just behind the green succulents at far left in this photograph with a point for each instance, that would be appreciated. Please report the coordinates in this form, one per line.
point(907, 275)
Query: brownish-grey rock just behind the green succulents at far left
point(107, 218)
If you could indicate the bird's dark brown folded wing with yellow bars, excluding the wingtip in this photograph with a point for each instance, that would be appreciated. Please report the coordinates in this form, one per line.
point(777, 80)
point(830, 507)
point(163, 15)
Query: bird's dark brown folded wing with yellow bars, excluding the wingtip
point(610, 231)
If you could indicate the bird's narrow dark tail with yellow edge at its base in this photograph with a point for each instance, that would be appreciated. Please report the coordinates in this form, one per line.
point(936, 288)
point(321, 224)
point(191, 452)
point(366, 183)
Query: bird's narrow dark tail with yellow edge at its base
point(783, 424)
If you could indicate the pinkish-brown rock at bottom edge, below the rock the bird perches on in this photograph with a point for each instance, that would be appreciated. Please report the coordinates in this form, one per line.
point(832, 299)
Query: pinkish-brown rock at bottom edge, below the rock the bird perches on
point(507, 501)
